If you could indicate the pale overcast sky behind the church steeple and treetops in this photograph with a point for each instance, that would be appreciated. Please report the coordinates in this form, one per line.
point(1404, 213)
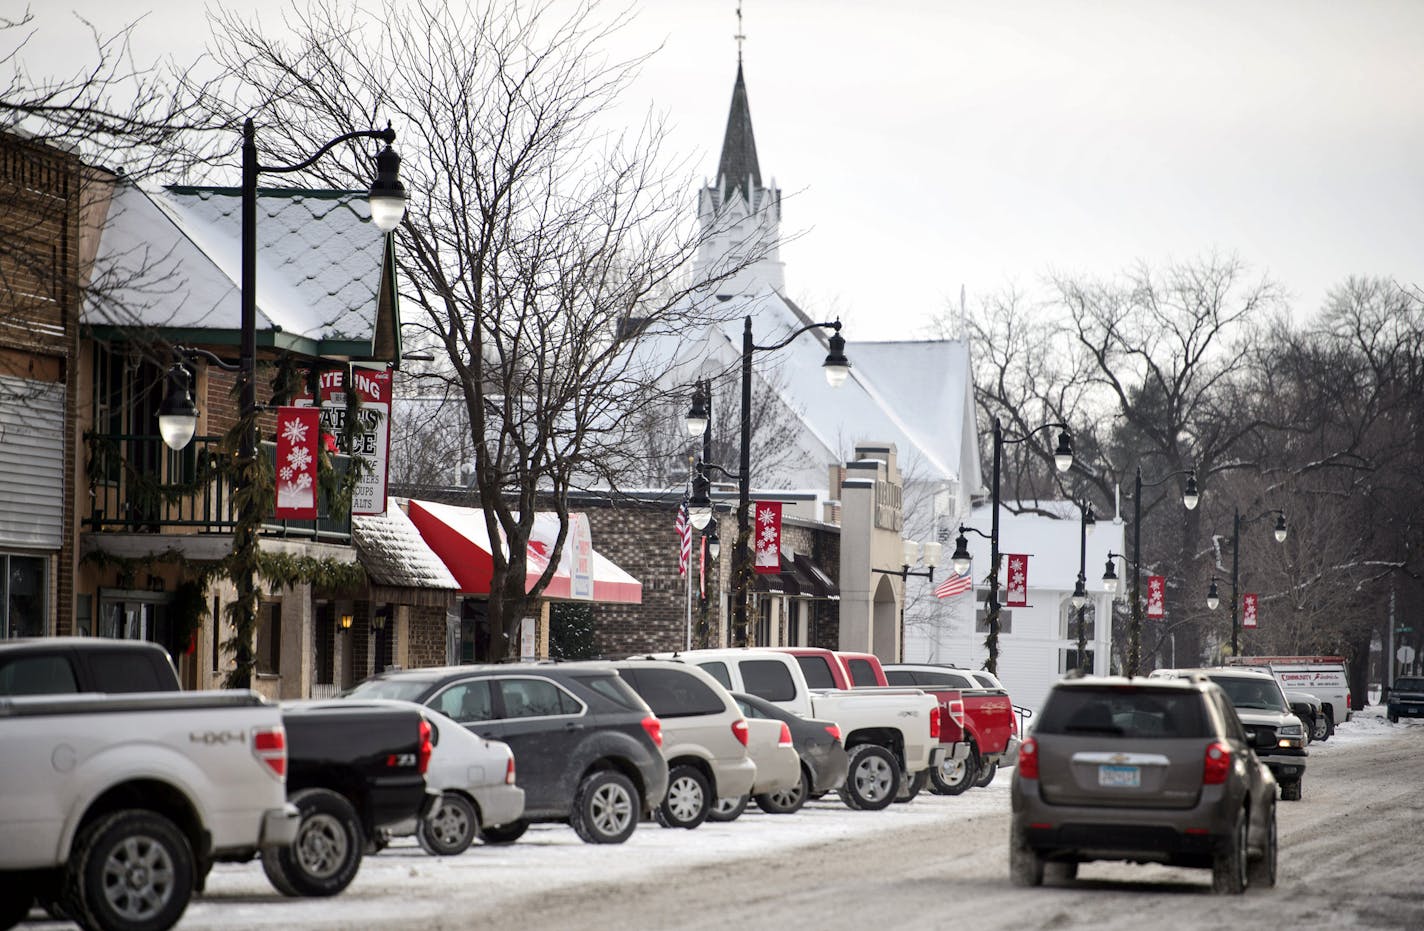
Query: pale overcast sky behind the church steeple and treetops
point(932, 144)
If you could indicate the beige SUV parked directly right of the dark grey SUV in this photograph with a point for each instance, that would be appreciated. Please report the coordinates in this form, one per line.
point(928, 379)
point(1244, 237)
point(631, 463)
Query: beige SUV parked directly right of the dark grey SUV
point(704, 738)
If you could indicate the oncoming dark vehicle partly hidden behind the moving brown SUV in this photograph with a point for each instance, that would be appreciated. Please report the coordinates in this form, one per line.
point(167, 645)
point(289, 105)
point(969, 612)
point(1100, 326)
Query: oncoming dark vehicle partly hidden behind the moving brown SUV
point(1275, 732)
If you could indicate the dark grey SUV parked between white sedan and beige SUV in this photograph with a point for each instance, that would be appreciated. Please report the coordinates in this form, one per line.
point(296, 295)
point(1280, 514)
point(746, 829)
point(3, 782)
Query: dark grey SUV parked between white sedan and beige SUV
point(586, 747)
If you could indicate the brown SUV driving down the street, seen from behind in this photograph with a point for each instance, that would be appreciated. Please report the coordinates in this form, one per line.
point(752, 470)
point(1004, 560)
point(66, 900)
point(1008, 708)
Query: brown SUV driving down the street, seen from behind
point(1146, 771)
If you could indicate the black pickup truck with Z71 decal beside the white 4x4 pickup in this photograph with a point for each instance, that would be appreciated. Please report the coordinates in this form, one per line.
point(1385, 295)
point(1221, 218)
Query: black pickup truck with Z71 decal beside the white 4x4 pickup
point(354, 769)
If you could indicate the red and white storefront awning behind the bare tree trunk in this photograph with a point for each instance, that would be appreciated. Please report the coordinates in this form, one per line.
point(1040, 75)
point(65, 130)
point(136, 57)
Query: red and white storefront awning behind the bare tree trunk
point(462, 542)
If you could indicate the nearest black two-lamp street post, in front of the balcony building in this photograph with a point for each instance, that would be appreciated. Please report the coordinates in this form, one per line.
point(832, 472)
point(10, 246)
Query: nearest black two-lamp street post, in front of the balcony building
point(179, 416)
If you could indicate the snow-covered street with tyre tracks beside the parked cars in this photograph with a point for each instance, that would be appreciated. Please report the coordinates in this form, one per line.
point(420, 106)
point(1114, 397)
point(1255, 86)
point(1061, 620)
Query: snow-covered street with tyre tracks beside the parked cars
point(1349, 861)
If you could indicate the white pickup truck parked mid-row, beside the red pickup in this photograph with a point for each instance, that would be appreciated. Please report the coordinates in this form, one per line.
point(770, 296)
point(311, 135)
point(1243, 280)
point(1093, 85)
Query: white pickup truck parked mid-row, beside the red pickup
point(892, 734)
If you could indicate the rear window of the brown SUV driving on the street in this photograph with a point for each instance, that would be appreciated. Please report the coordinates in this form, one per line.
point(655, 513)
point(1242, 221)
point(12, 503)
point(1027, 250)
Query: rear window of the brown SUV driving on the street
point(1127, 712)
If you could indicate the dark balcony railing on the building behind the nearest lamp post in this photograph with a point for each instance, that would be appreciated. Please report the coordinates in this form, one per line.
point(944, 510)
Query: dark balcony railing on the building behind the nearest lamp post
point(139, 486)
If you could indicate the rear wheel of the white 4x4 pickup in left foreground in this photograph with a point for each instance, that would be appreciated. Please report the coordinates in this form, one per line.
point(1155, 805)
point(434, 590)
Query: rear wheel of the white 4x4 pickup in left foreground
point(152, 861)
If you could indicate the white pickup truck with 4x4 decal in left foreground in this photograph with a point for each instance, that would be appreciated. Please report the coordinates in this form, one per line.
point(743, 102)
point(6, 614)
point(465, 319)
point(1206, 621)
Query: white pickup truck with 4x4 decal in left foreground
point(115, 806)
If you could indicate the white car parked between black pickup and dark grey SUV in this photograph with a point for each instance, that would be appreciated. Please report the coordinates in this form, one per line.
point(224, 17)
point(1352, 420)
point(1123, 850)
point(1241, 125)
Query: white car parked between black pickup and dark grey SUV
point(476, 781)
